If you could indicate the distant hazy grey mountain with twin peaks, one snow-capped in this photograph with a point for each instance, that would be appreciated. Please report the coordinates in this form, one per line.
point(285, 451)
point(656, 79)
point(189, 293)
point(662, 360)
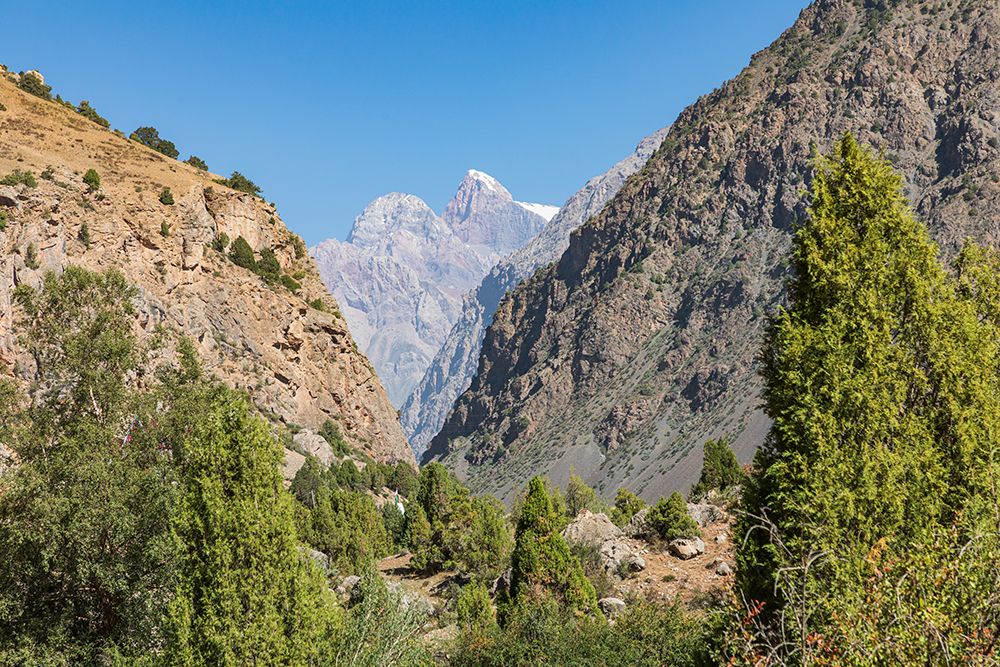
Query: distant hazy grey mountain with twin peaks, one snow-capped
point(401, 273)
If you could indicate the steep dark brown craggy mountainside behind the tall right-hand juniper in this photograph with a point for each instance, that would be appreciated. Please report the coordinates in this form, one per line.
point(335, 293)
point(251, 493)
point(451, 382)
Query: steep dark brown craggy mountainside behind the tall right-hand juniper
point(640, 343)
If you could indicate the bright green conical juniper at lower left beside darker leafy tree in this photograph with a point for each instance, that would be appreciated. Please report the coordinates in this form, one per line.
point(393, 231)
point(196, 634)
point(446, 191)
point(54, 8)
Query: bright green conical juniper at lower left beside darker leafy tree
point(247, 595)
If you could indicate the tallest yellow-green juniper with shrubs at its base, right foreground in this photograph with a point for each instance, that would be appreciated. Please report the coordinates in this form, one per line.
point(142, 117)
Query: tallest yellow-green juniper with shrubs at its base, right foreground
point(871, 514)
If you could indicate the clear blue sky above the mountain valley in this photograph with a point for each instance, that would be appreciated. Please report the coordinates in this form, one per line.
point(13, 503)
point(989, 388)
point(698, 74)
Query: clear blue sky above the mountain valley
point(327, 105)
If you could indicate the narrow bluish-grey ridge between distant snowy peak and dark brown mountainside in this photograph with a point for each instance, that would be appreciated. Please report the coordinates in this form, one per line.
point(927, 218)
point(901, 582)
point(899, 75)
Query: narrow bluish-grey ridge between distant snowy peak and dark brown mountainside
point(452, 368)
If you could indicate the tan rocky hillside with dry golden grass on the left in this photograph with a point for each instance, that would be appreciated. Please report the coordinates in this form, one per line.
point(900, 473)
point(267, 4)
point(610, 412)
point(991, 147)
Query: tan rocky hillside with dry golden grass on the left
point(298, 363)
